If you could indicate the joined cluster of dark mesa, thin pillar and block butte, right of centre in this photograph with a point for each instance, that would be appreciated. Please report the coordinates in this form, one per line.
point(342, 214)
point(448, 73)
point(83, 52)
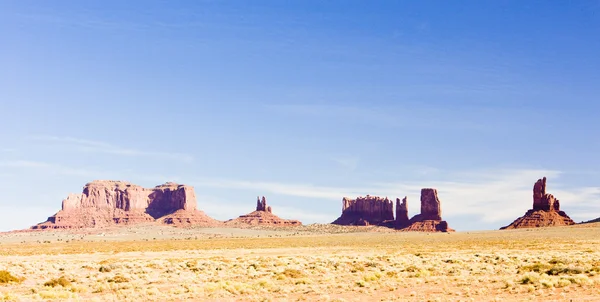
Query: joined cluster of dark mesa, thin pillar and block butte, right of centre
point(374, 210)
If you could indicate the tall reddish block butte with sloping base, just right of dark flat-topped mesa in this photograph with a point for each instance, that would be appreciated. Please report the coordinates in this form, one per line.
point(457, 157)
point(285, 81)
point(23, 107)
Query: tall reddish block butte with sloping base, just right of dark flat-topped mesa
point(430, 218)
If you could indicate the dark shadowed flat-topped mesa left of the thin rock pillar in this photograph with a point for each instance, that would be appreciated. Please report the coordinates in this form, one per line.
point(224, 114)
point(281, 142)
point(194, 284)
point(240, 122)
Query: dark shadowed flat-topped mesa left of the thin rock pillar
point(368, 210)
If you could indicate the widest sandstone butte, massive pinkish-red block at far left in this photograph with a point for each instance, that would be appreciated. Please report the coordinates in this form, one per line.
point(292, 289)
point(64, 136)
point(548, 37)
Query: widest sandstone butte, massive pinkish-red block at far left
point(106, 203)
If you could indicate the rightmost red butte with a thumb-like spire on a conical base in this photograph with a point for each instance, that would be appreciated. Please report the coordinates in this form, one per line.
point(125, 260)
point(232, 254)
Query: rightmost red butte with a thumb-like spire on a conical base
point(545, 212)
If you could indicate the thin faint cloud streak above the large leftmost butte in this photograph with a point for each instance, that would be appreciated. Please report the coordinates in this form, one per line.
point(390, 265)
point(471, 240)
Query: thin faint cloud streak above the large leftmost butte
point(108, 148)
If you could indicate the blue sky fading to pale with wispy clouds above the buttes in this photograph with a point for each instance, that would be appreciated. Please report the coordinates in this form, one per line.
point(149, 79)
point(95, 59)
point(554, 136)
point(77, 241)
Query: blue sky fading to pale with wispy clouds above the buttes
point(304, 102)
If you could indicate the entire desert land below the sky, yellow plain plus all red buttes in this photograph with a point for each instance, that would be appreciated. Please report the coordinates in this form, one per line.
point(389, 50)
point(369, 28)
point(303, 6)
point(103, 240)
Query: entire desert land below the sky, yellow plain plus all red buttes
point(112, 242)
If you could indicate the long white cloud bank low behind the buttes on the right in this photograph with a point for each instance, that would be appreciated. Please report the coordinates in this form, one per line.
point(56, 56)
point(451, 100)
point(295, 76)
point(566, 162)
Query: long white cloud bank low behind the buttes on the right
point(497, 196)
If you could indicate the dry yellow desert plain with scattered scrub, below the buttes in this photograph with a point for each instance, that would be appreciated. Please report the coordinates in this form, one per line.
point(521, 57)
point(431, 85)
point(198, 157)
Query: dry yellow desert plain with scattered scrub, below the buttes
point(306, 263)
